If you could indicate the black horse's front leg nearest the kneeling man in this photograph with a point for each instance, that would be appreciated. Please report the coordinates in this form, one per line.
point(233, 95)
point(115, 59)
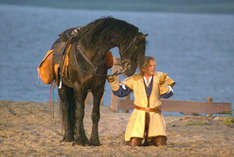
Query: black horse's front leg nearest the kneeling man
point(97, 95)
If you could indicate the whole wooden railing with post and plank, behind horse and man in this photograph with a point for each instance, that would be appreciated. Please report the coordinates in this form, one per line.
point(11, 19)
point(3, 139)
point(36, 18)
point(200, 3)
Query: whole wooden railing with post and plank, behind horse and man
point(188, 107)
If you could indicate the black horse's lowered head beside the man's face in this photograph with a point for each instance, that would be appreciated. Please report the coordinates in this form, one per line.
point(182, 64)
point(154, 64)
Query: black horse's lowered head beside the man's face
point(132, 55)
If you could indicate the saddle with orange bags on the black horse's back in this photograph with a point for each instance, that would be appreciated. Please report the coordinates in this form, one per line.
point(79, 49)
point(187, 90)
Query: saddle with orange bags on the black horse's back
point(57, 58)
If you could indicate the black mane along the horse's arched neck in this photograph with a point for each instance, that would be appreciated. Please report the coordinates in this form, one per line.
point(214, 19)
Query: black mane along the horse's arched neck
point(102, 29)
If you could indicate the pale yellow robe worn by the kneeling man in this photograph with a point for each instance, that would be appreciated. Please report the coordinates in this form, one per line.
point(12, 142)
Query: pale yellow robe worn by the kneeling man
point(136, 124)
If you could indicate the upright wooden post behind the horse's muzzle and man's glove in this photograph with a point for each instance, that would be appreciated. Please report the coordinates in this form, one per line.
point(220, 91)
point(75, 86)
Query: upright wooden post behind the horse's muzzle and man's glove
point(114, 106)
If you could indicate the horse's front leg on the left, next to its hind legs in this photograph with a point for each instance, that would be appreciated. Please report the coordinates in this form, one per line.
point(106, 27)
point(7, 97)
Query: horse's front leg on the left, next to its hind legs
point(80, 136)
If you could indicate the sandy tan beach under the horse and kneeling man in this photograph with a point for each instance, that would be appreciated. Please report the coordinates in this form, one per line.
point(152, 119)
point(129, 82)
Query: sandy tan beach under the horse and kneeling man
point(29, 129)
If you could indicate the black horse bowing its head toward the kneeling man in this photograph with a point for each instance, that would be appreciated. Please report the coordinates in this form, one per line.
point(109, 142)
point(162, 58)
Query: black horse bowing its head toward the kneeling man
point(86, 70)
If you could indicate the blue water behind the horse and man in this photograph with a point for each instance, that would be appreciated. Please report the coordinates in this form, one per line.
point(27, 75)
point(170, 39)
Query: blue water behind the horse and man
point(197, 50)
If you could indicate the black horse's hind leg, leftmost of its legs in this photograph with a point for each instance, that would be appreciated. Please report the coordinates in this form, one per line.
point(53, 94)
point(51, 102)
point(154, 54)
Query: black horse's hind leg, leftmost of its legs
point(67, 108)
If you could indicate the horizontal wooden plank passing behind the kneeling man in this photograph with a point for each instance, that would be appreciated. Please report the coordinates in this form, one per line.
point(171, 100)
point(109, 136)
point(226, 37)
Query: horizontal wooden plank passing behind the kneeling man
point(185, 106)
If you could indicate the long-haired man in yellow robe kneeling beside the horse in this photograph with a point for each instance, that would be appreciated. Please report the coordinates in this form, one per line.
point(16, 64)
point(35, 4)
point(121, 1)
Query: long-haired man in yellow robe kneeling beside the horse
point(146, 122)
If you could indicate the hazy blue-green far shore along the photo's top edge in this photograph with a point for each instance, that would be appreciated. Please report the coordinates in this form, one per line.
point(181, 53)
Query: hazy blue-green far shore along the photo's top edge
point(187, 6)
